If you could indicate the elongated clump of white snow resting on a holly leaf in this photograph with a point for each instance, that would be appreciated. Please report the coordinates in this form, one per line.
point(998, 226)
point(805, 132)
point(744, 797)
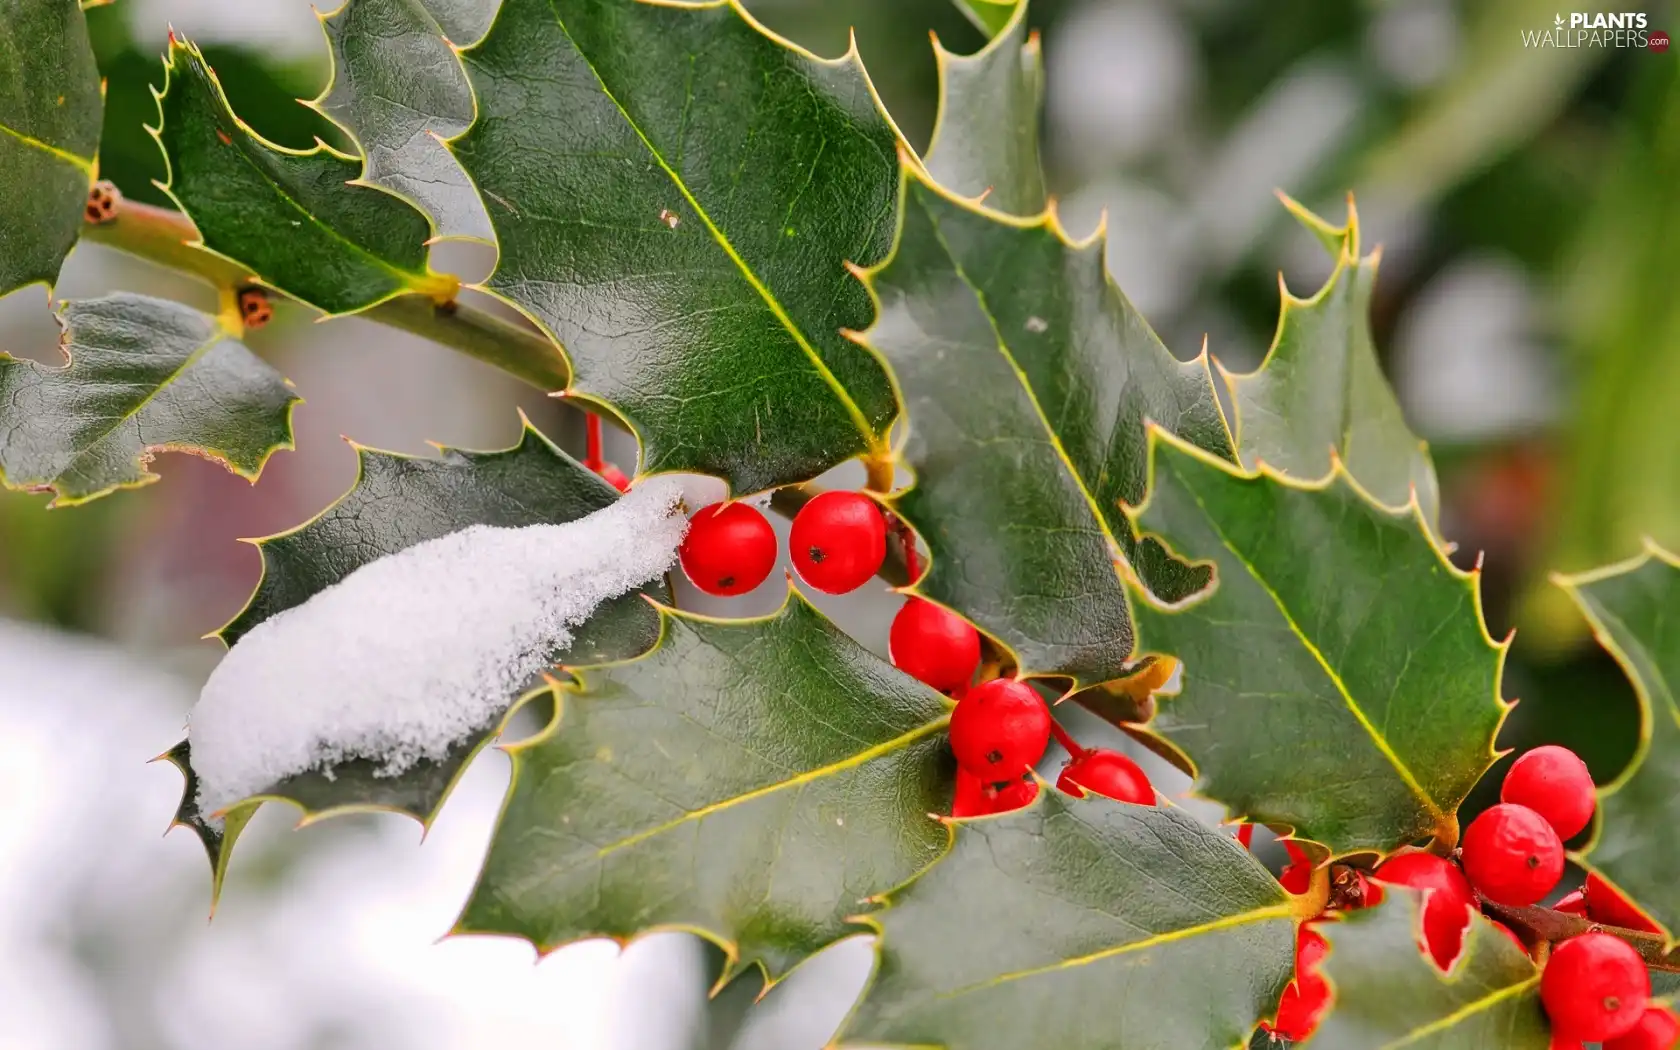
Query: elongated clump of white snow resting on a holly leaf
point(417, 651)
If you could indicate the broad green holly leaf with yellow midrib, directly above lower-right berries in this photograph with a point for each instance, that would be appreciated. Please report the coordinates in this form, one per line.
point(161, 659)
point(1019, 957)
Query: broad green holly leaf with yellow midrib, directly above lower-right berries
point(1338, 675)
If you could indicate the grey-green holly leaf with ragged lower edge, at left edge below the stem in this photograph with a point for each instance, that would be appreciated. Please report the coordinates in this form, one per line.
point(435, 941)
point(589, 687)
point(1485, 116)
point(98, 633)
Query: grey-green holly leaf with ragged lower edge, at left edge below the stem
point(140, 377)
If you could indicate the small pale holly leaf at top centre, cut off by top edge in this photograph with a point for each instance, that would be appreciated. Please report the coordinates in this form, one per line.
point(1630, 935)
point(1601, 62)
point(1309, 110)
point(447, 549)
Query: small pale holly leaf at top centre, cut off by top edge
point(985, 144)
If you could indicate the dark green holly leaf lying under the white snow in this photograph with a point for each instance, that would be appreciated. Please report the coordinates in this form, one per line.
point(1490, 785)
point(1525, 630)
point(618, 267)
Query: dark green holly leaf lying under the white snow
point(397, 503)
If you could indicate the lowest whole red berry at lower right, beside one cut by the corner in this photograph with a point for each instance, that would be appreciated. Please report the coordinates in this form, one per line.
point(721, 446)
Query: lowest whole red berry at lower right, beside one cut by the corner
point(1595, 987)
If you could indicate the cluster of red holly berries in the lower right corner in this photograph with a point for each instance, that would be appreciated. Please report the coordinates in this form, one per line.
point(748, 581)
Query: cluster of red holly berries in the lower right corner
point(1595, 987)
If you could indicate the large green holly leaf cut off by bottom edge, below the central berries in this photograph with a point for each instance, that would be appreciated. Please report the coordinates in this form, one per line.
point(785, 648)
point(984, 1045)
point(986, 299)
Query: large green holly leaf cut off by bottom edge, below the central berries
point(1147, 928)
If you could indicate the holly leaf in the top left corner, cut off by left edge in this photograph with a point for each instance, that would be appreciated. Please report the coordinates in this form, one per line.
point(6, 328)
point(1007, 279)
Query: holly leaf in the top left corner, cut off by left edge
point(51, 110)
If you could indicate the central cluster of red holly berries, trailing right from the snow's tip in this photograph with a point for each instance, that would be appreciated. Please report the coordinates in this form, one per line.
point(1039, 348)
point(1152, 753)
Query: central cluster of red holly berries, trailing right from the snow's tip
point(1000, 728)
